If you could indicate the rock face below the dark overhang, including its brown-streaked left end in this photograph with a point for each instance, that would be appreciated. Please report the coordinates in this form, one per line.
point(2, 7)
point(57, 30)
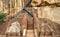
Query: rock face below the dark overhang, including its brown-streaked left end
point(48, 12)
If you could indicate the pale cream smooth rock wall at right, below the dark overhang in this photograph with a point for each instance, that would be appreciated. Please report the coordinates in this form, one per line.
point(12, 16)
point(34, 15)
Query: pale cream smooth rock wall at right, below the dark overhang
point(50, 13)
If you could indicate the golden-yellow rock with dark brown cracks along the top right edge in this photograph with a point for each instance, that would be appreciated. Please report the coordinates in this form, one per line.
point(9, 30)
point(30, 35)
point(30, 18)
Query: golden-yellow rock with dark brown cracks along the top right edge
point(44, 2)
